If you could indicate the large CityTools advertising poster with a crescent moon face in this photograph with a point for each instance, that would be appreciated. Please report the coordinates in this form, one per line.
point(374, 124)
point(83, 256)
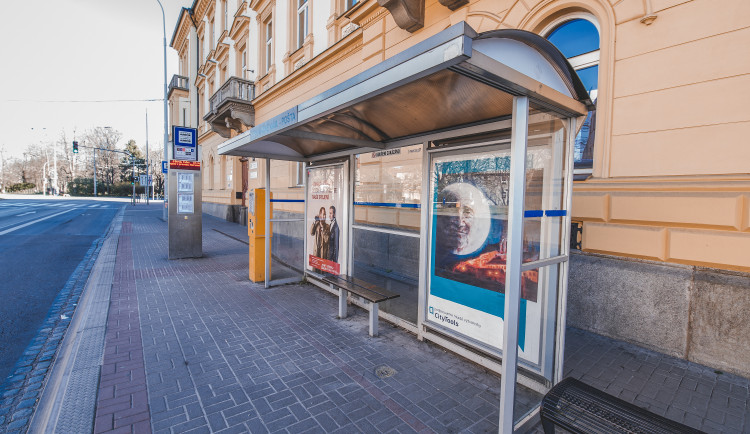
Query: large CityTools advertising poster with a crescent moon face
point(468, 253)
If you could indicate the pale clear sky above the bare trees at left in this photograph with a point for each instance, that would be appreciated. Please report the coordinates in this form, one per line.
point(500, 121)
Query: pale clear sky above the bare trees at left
point(84, 50)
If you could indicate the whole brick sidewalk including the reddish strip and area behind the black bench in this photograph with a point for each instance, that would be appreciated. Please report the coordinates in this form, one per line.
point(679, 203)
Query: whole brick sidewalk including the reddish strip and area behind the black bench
point(194, 346)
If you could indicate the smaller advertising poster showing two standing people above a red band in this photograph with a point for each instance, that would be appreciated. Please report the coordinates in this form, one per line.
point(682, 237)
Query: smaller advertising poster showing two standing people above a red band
point(325, 205)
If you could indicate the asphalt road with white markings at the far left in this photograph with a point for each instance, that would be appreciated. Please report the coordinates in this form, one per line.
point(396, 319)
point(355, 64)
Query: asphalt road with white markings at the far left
point(41, 244)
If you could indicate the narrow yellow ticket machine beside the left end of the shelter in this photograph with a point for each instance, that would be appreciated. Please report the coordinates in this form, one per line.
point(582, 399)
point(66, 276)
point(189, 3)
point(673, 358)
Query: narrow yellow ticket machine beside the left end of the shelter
point(256, 230)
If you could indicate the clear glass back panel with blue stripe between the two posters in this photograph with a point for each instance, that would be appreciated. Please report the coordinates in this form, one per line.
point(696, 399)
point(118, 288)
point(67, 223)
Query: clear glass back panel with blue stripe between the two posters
point(387, 194)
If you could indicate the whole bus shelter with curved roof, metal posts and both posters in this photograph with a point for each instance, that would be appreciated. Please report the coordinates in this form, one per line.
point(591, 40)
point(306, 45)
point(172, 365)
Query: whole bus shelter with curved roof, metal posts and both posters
point(495, 115)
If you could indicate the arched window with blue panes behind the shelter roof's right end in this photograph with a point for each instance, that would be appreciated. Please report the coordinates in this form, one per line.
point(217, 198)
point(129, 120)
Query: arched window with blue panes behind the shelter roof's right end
point(577, 38)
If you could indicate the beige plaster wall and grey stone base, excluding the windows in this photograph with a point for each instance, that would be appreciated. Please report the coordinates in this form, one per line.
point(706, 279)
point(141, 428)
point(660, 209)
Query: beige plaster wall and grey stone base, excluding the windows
point(670, 184)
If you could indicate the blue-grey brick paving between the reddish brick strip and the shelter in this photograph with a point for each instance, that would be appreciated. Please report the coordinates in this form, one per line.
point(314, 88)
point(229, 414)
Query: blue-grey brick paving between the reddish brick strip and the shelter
point(224, 355)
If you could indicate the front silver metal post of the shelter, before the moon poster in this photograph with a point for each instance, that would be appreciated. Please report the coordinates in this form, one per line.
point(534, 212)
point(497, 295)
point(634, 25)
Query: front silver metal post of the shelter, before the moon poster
point(518, 141)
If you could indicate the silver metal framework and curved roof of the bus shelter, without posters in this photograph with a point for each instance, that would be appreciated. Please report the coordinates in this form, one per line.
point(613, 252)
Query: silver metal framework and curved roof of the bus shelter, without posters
point(478, 83)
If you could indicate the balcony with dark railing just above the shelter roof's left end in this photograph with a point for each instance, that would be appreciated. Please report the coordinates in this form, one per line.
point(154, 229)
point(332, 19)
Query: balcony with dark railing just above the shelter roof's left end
point(231, 107)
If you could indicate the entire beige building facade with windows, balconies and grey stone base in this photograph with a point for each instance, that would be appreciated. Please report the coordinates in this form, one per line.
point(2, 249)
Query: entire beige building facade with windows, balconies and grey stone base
point(661, 203)
